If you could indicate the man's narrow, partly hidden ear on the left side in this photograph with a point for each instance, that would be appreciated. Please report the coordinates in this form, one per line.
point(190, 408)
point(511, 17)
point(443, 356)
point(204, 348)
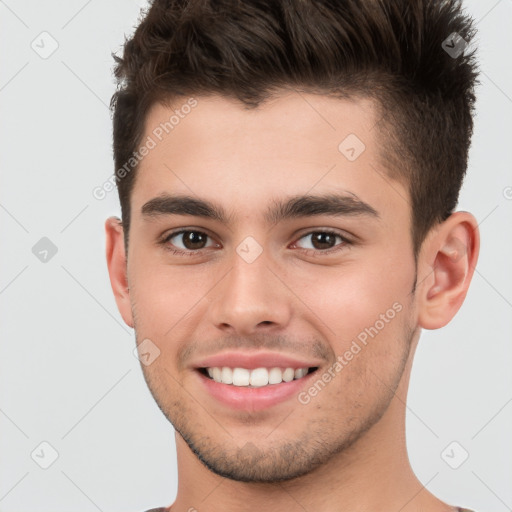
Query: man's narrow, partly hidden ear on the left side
point(117, 269)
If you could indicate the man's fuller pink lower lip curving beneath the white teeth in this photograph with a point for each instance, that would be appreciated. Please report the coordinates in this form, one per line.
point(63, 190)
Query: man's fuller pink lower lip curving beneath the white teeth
point(254, 399)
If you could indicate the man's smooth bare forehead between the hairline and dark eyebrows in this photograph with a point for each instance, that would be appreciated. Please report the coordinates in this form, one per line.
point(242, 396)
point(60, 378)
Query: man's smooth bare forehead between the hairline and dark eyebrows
point(215, 148)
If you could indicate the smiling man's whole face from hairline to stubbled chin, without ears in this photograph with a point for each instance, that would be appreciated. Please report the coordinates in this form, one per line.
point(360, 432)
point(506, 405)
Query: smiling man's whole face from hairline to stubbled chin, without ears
point(255, 290)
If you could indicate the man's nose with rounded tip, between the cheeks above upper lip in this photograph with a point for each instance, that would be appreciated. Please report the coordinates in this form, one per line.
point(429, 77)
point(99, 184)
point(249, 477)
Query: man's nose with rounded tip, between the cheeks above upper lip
point(250, 298)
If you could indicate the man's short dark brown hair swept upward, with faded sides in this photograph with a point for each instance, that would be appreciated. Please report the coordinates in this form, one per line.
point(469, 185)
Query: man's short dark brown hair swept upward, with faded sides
point(393, 51)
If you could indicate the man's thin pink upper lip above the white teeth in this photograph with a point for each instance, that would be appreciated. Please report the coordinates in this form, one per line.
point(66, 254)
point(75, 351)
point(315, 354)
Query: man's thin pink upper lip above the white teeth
point(251, 360)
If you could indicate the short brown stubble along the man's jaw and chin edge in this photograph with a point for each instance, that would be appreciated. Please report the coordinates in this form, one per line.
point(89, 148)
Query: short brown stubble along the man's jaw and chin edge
point(251, 463)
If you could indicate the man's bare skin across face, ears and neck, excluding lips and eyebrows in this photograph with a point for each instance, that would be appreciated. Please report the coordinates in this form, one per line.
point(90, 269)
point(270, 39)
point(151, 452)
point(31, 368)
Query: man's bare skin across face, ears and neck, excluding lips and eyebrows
point(345, 449)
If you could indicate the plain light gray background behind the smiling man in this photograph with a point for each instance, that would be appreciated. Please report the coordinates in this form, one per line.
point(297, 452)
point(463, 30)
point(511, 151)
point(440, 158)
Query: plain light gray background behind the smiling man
point(67, 372)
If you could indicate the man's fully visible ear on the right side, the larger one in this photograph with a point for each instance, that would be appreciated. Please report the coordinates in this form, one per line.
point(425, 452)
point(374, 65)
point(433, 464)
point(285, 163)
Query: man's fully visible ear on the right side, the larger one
point(447, 260)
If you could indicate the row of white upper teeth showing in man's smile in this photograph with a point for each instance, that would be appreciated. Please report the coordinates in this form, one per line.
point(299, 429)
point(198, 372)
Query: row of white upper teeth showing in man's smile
point(257, 377)
